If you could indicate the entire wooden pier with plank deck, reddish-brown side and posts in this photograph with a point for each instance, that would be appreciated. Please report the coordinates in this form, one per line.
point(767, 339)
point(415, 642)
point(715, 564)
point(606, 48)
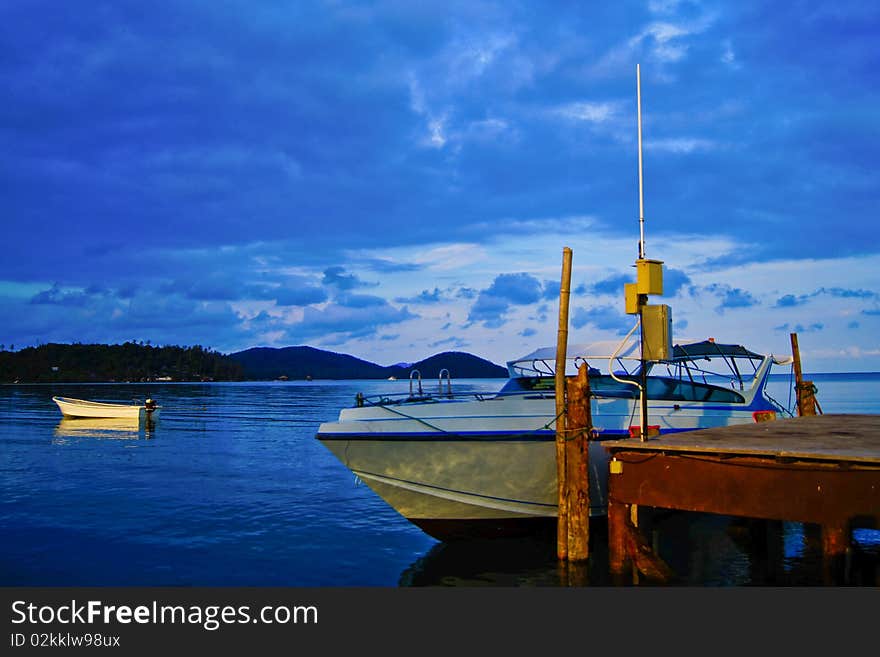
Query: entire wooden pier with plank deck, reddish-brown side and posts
point(821, 469)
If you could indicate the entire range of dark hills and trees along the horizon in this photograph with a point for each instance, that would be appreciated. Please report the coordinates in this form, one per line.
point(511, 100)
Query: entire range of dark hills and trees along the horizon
point(139, 362)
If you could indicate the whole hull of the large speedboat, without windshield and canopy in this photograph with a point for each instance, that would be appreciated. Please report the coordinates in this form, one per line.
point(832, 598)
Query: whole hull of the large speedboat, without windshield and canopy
point(483, 468)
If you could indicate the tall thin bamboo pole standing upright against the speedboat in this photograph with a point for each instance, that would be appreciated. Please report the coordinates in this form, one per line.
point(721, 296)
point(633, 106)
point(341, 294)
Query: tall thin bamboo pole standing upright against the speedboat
point(561, 353)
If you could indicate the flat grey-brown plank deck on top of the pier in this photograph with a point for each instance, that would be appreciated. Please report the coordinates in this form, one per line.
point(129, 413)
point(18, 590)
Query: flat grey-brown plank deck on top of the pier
point(836, 438)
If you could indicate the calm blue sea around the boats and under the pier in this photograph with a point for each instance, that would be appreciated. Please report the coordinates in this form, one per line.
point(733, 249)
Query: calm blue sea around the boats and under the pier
point(231, 489)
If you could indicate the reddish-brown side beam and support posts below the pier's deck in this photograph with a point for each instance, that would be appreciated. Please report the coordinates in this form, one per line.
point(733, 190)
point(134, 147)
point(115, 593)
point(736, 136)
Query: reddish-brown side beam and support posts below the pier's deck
point(825, 493)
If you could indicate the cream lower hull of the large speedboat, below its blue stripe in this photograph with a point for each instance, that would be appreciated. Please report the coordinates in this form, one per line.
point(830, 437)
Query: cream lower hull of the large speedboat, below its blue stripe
point(464, 486)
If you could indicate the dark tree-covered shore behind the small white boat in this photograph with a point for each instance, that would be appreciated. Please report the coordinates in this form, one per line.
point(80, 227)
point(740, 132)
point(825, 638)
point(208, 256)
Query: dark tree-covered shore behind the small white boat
point(118, 362)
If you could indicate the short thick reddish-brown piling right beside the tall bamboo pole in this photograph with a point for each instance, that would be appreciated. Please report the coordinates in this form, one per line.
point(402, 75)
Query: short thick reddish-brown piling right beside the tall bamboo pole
point(578, 422)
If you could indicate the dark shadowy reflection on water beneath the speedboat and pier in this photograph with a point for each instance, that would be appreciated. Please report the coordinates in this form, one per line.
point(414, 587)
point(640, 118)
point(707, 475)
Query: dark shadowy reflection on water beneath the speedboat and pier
point(699, 549)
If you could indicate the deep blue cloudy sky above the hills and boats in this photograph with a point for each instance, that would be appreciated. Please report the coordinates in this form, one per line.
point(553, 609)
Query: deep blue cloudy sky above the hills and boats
point(395, 179)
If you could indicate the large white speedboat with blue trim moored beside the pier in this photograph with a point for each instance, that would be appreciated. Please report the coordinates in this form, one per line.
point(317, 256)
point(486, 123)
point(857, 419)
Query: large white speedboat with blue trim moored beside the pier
point(485, 464)
